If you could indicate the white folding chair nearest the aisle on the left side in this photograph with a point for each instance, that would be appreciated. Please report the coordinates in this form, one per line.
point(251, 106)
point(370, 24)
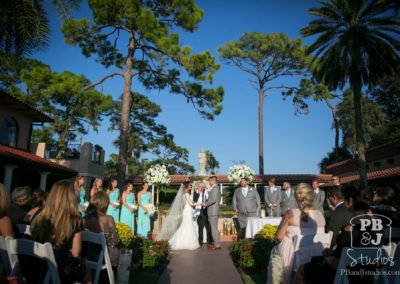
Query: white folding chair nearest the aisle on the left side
point(103, 260)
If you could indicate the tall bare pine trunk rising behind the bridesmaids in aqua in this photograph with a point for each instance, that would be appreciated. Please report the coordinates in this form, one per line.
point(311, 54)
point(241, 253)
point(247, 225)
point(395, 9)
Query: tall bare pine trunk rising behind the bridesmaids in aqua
point(126, 103)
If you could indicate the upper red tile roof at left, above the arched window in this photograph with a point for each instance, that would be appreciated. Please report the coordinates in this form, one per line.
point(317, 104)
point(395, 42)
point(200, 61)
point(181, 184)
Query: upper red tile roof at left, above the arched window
point(24, 108)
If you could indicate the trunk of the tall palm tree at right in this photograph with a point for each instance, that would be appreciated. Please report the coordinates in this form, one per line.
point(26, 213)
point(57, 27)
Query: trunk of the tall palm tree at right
point(362, 165)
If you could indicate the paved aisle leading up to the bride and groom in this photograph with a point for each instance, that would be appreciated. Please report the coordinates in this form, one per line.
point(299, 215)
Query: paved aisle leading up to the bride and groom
point(201, 266)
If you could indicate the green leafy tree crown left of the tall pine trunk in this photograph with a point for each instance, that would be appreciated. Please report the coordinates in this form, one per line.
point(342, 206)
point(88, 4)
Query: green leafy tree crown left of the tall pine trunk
point(60, 95)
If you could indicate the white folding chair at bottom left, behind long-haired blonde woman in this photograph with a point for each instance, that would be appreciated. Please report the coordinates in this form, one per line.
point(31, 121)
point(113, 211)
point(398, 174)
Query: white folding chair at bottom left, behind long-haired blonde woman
point(44, 251)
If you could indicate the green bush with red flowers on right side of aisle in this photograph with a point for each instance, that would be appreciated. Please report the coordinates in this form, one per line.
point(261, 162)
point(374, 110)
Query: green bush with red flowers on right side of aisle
point(252, 255)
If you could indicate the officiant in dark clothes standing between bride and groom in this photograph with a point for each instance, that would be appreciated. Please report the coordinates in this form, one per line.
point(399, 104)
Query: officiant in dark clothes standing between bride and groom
point(200, 212)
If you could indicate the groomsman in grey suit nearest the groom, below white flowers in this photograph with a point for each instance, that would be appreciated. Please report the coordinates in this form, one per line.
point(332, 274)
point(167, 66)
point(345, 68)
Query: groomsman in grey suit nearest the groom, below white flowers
point(246, 203)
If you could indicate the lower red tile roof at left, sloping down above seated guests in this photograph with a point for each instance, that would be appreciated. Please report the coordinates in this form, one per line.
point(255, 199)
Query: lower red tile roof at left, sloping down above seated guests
point(9, 155)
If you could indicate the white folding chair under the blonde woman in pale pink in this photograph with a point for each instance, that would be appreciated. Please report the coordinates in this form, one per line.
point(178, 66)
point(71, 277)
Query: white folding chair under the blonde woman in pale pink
point(299, 240)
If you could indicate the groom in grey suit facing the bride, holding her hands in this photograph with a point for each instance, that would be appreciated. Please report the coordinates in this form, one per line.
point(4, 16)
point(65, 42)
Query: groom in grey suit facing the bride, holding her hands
point(212, 205)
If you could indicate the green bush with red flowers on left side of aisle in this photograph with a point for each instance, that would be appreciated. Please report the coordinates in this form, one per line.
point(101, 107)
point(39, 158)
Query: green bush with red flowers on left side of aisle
point(149, 255)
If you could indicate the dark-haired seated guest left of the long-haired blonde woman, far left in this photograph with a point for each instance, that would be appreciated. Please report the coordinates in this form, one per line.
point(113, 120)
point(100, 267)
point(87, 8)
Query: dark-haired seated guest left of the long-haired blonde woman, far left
point(19, 197)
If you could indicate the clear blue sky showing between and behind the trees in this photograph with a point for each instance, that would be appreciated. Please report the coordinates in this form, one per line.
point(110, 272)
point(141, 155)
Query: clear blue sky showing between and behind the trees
point(292, 144)
